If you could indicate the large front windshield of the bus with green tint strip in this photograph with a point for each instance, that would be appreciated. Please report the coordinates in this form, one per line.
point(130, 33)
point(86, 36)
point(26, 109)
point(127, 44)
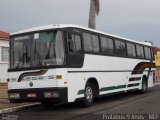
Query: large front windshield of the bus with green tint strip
point(37, 50)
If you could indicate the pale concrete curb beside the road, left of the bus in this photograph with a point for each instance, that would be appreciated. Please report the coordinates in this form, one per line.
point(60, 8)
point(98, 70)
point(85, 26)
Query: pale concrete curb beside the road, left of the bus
point(14, 109)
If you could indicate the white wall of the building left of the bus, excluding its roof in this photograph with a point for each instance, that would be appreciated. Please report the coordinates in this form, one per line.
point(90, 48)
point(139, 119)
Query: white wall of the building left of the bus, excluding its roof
point(3, 65)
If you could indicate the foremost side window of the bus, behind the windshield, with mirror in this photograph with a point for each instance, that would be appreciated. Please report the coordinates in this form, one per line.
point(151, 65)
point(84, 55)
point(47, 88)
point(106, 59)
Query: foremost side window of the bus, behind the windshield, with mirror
point(74, 43)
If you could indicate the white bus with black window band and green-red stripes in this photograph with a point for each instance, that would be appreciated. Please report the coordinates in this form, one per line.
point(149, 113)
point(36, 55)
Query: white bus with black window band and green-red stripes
point(65, 63)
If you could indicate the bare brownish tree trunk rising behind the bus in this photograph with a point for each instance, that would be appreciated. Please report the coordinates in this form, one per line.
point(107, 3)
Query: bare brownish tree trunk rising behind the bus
point(94, 11)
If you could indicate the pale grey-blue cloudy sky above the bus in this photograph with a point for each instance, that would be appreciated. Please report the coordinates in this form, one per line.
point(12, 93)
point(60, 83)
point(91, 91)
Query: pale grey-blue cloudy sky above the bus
point(135, 19)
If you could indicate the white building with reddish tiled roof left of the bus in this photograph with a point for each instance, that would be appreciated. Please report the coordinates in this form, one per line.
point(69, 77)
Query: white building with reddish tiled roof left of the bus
point(4, 55)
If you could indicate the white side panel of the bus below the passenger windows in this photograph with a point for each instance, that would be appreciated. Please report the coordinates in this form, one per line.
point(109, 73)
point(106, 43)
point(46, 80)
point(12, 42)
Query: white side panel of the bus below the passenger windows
point(113, 74)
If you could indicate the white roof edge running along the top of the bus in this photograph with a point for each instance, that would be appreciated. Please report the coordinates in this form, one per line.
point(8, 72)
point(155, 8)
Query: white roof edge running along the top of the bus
point(54, 26)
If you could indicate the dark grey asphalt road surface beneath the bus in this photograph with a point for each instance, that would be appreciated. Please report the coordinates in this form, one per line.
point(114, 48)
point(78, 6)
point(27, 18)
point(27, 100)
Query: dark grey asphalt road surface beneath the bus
point(126, 106)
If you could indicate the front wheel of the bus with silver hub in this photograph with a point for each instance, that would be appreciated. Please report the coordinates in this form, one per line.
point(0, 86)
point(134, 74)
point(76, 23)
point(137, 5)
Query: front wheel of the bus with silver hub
point(89, 95)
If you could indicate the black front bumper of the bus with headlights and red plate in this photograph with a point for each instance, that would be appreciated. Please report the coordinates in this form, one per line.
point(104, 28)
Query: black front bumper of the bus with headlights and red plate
point(56, 95)
